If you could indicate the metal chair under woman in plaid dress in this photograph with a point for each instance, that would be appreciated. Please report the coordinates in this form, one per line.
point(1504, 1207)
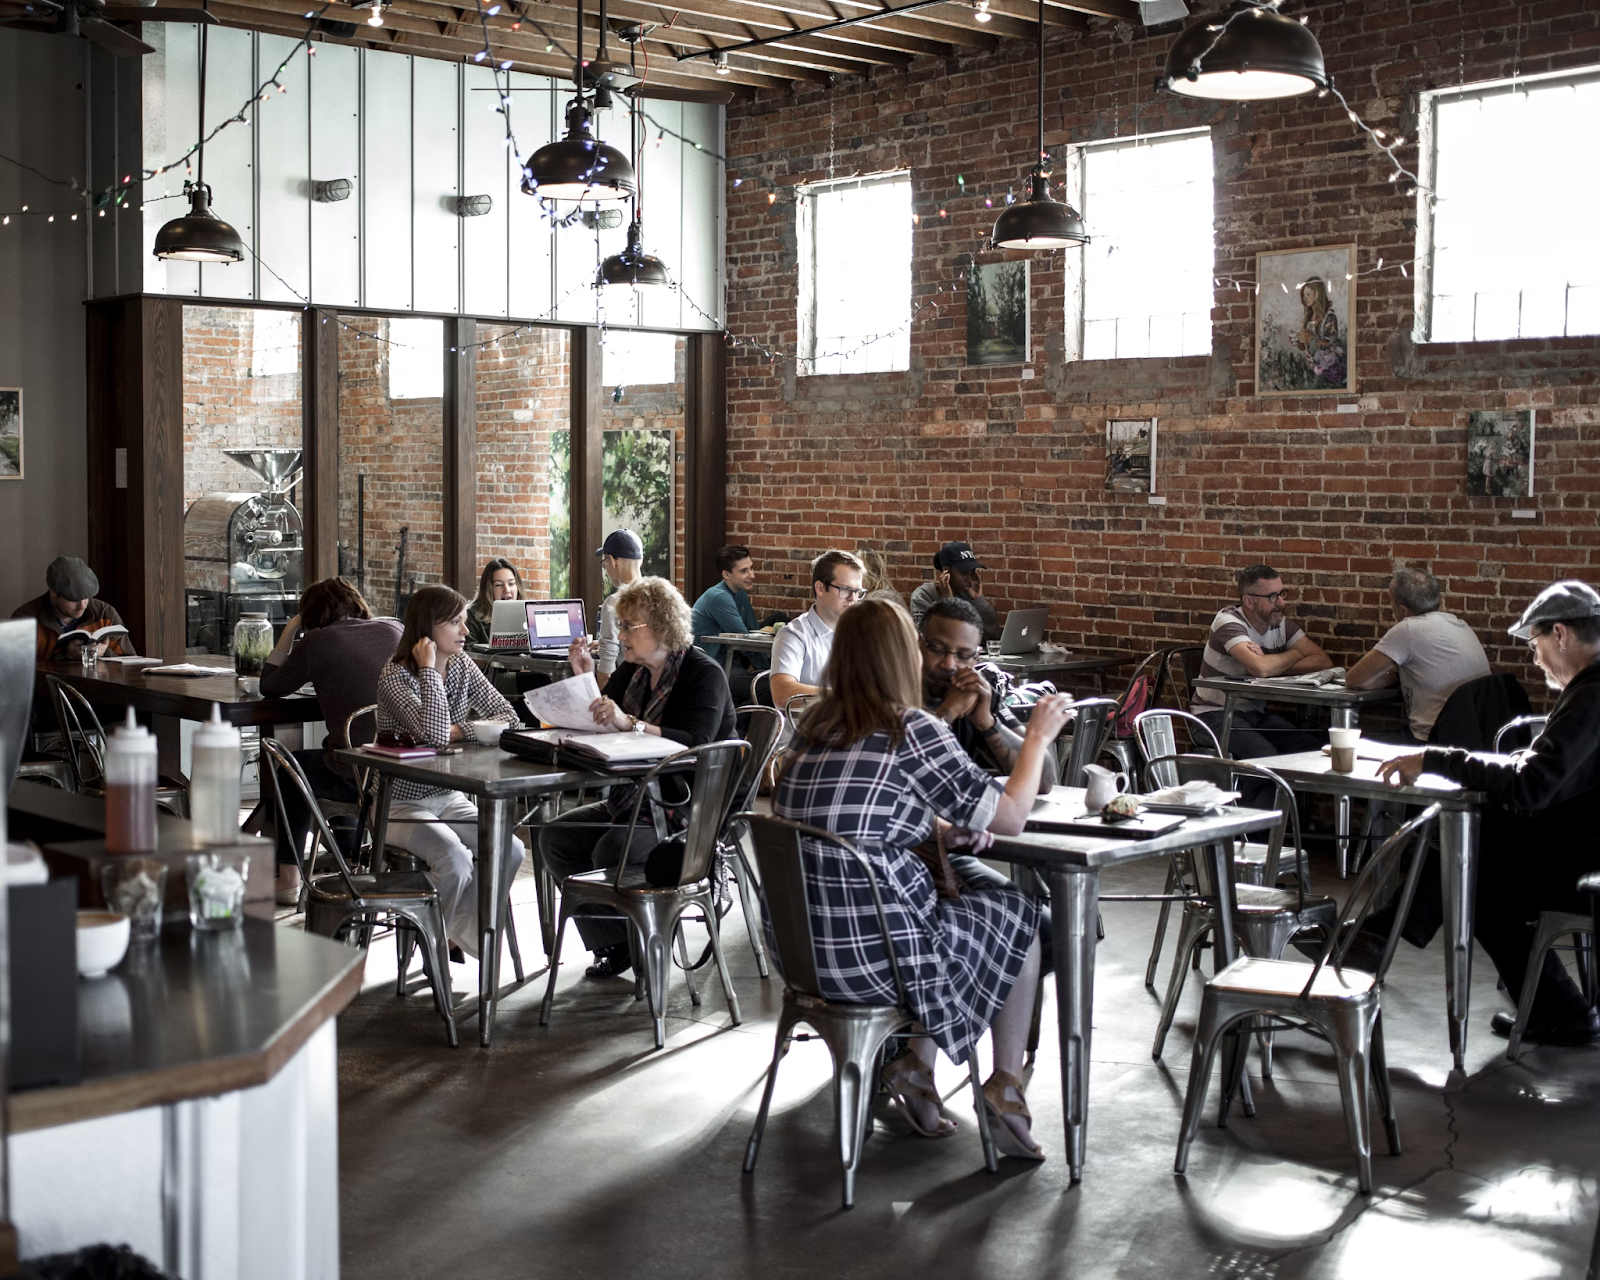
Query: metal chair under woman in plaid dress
point(855, 1034)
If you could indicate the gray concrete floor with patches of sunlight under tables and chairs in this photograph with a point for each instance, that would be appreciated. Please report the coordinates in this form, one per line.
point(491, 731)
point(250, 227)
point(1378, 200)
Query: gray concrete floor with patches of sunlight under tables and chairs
point(577, 1151)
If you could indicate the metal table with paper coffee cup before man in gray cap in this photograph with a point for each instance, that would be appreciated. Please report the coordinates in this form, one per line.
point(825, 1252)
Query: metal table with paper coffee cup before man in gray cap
point(1458, 842)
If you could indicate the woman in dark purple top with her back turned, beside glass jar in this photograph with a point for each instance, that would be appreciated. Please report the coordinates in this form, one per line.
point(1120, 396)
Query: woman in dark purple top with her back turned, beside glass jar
point(342, 652)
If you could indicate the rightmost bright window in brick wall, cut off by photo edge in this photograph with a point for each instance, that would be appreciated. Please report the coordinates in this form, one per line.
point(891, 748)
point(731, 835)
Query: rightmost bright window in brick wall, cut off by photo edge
point(1506, 247)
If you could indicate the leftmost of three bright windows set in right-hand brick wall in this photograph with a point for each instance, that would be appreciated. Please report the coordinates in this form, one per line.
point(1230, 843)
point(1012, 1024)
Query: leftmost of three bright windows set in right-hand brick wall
point(855, 274)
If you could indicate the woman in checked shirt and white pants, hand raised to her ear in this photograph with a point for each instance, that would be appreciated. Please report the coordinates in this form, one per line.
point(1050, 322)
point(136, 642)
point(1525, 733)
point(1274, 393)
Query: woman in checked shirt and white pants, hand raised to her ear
point(431, 692)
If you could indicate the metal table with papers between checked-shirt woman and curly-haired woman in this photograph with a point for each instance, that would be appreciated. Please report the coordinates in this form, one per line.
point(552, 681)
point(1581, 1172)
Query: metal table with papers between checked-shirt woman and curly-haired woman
point(497, 782)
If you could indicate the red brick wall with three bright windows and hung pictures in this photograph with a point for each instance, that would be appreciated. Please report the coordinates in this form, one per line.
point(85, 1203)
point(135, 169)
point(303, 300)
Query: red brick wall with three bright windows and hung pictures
point(905, 462)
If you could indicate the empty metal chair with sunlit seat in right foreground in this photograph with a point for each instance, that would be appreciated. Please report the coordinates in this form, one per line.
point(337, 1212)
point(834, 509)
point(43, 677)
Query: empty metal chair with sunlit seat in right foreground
point(1329, 999)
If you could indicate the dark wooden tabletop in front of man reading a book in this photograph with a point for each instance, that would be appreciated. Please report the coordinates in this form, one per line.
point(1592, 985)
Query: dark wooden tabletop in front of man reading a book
point(183, 697)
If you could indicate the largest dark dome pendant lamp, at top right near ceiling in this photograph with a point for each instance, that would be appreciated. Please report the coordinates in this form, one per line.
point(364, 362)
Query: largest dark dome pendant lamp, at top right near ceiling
point(1249, 54)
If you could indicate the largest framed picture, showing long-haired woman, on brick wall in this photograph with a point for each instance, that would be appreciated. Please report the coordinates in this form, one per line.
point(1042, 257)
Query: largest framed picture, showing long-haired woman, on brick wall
point(1306, 322)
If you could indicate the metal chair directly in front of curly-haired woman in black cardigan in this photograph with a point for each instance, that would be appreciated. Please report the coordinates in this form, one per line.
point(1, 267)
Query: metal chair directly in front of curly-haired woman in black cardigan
point(655, 911)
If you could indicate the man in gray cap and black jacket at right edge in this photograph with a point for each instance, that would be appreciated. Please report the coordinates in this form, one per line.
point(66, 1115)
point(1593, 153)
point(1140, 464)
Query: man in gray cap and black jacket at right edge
point(1540, 830)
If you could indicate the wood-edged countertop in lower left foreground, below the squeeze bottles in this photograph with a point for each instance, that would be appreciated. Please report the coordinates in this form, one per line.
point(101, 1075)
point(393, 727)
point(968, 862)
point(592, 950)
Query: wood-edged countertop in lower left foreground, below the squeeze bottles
point(194, 1017)
